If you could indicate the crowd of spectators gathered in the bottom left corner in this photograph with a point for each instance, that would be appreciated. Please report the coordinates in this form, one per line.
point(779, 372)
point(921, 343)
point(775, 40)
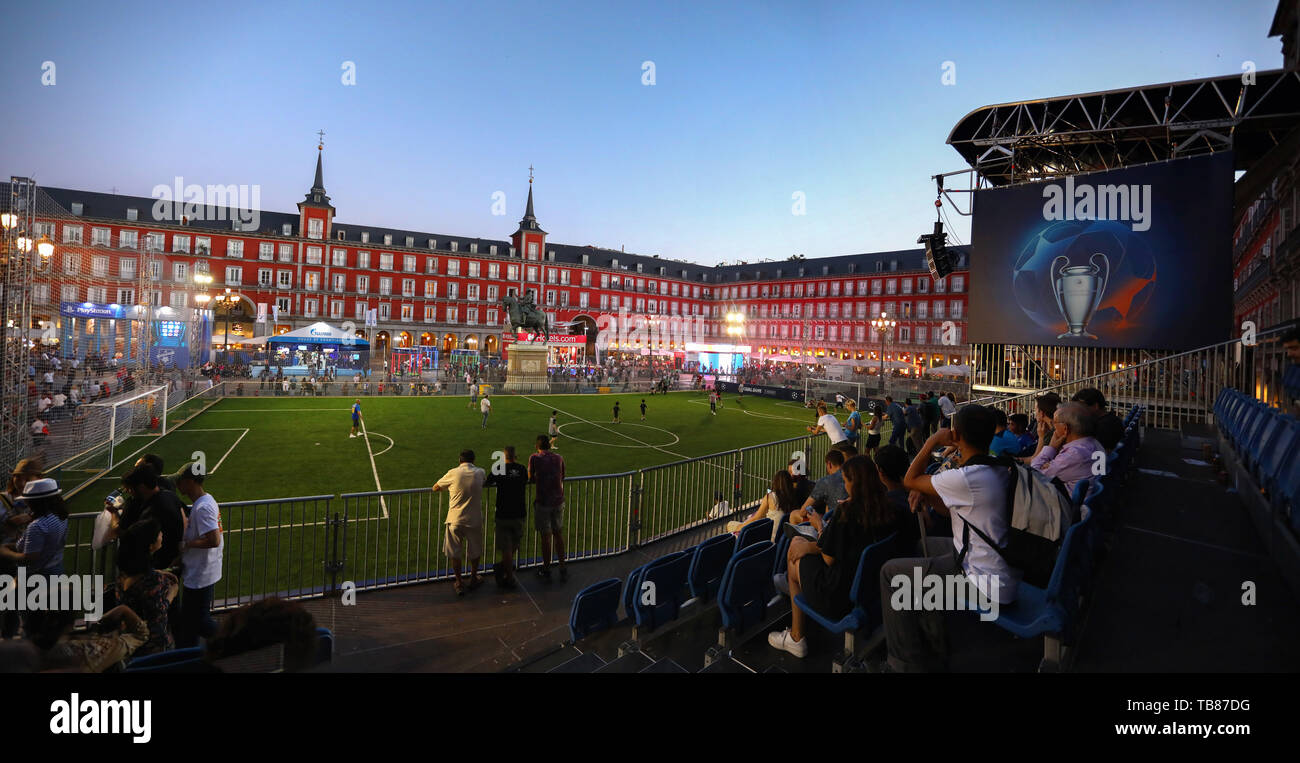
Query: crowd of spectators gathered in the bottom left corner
point(170, 558)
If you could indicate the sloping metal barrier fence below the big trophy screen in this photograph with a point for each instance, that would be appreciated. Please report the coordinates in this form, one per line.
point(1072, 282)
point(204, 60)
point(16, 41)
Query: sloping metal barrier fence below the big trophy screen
point(1180, 388)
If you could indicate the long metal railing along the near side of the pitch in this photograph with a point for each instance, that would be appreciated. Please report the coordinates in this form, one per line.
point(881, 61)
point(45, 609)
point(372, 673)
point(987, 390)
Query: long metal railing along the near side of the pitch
point(318, 545)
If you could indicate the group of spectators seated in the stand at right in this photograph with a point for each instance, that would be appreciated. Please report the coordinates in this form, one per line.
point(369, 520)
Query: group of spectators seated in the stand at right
point(955, 476)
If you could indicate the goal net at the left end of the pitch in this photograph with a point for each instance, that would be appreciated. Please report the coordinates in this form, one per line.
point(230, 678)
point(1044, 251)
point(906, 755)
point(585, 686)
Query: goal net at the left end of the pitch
point(103, 436)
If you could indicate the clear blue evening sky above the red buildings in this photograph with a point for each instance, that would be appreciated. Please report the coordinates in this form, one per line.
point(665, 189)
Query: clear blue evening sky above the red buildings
point(752, 103)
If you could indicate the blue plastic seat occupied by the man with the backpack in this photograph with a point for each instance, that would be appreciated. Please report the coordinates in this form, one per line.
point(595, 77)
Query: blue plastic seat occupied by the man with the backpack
point(1051, 612)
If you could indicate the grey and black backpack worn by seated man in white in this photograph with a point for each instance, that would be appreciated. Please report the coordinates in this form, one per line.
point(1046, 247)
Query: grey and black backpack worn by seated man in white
point(1041, 513)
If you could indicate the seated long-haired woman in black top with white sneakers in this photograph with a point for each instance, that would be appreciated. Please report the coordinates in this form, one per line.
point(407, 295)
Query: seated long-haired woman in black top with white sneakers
point(824, 571)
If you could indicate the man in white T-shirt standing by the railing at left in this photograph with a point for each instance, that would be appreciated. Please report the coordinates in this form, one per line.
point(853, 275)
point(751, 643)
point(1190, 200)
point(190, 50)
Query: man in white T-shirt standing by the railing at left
point(201, 560)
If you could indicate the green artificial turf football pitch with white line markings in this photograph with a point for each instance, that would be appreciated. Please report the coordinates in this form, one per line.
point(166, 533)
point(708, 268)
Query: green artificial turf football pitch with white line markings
point(259, 448)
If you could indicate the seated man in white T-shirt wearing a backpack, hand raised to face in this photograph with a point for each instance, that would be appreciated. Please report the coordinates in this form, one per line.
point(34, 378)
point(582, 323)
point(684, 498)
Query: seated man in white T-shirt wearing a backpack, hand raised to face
point(977, 495)
